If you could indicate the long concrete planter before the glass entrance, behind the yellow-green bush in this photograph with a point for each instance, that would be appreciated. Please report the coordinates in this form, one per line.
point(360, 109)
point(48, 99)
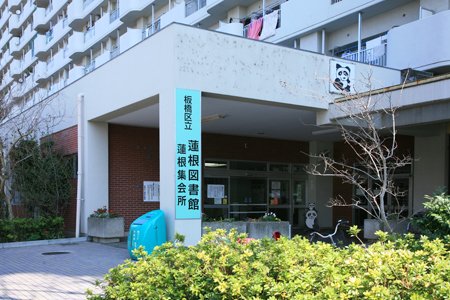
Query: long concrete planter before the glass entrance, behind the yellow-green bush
point(256, 230)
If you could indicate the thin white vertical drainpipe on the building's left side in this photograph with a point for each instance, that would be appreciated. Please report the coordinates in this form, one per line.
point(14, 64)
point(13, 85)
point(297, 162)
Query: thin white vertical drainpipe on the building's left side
point(80, 99)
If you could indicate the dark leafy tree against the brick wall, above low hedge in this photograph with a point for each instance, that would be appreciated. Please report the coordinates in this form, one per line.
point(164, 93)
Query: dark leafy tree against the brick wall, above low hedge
point(43, 179)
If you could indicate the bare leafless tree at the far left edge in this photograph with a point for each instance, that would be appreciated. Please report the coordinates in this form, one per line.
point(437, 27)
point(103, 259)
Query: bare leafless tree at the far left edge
point(20, 119)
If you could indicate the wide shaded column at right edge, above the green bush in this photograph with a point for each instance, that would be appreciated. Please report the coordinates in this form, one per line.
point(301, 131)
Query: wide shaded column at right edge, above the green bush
point(431, 168)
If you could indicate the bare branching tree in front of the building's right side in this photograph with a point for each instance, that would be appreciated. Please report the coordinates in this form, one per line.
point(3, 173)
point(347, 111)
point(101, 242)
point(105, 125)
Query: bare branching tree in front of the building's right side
point(367, 123)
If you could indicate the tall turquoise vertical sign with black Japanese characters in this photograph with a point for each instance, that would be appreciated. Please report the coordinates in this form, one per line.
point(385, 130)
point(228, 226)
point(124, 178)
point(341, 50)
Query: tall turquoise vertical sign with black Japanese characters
point(188, 161)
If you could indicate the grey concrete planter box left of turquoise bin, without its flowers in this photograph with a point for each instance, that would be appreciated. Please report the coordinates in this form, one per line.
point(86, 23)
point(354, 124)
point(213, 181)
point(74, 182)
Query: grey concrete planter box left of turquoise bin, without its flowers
point(106, 229)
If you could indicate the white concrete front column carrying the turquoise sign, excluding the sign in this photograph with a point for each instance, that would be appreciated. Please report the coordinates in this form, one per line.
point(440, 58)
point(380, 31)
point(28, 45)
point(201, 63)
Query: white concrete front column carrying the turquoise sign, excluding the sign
point(167, 146)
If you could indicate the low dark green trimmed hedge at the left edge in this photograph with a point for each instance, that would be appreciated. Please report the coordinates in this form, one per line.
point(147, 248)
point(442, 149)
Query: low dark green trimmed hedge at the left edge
point(19, 229)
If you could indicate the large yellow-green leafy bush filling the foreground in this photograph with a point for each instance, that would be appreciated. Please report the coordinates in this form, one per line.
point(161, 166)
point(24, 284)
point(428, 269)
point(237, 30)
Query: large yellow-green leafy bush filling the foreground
point(220, 268)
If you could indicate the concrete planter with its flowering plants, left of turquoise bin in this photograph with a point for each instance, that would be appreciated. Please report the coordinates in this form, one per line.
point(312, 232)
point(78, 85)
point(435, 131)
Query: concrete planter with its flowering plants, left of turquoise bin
point(105, 226)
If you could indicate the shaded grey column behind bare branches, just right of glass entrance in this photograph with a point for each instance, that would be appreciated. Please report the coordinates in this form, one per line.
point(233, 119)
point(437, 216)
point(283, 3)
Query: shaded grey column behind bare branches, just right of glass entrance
point(320, 188)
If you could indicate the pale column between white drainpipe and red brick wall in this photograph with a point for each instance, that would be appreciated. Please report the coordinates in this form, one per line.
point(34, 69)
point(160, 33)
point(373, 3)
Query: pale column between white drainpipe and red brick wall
point(95, 168)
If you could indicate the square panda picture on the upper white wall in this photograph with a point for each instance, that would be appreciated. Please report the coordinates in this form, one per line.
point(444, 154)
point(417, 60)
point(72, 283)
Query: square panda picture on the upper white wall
point(341, 77)
